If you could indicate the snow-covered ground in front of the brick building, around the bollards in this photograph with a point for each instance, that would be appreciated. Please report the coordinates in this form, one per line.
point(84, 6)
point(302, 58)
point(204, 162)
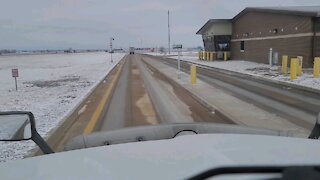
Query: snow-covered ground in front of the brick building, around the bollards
point(255, 69)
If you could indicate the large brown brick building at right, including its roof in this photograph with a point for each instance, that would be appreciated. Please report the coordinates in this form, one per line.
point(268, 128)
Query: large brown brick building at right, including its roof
point(293, 31)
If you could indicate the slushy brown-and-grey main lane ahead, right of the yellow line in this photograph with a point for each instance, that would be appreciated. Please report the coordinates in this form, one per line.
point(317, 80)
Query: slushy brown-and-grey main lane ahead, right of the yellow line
point(143, 96)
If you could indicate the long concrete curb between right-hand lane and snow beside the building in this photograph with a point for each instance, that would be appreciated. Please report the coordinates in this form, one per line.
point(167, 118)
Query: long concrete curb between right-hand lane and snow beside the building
point(282, 83)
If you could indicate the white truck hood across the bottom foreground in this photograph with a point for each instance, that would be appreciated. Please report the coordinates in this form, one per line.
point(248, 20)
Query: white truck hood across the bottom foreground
point(176, 158)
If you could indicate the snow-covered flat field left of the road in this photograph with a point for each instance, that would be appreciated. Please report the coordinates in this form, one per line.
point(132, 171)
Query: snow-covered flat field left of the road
point(50, 86)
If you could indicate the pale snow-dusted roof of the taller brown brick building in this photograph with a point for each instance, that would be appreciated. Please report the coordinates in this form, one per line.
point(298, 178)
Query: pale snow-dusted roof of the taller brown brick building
point(313, 11)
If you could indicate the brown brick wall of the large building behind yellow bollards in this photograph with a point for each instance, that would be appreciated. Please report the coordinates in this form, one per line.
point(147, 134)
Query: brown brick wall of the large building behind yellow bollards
point(253, 23)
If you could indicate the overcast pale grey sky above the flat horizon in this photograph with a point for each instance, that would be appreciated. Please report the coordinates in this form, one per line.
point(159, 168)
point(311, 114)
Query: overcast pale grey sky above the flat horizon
point(59, 24)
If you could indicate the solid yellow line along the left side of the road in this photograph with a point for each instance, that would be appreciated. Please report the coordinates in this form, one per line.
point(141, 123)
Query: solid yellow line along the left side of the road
point(97, 113)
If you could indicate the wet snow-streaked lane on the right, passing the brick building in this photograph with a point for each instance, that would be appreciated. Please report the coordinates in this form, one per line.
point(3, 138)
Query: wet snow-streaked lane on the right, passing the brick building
point(298, 106)
